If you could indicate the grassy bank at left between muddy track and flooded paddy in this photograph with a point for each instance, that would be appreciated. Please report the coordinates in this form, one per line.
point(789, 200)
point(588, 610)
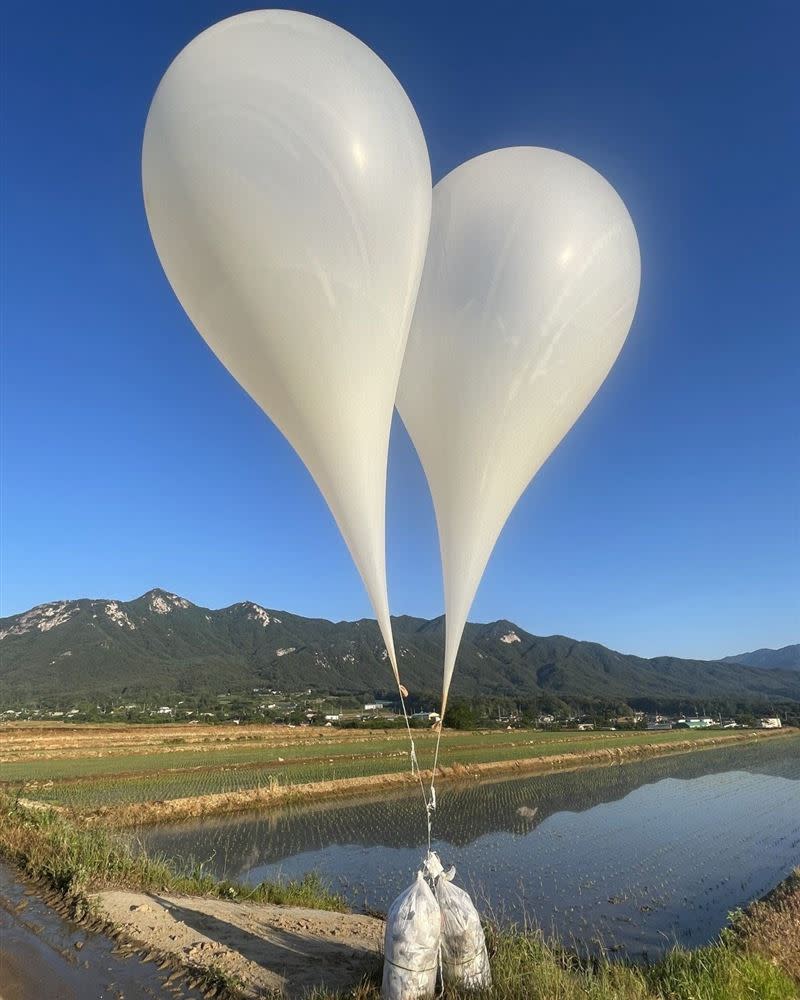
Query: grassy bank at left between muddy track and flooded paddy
point(73, 861)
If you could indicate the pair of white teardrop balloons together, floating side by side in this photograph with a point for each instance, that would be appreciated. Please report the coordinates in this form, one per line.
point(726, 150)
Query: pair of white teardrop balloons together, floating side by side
point(288, 192)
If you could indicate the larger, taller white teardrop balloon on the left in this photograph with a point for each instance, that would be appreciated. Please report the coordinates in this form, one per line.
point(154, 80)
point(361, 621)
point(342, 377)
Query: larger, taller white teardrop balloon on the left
point(288, 191)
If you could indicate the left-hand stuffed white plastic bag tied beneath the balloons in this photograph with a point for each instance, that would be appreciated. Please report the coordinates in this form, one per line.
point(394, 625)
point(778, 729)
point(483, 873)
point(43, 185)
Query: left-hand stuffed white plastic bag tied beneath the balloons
point(411, 944)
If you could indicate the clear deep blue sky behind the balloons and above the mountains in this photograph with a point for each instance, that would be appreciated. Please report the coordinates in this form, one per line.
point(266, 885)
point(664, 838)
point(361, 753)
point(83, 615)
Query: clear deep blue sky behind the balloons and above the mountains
point(666, 522)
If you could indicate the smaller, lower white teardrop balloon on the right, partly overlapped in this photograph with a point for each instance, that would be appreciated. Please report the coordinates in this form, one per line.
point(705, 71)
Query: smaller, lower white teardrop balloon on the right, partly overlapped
point(529, 290)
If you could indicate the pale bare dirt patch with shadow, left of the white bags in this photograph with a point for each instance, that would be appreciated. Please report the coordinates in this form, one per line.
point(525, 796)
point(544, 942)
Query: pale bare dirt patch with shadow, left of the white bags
point(266, 948)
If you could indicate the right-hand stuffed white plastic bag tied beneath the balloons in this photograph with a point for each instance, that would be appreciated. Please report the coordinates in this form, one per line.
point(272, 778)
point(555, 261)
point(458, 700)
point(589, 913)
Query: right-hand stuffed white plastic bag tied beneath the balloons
point(465, 960)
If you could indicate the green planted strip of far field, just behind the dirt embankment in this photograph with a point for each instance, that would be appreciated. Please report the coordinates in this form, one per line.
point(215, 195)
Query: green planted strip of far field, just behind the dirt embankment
point(91, 777)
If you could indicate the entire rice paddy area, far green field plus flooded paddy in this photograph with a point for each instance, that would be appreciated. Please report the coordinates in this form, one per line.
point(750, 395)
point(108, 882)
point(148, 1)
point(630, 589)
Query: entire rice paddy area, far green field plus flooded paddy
point(628, 859)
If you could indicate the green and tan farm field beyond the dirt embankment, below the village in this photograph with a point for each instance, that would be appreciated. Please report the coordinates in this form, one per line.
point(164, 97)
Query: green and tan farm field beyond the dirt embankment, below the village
point(83, 768)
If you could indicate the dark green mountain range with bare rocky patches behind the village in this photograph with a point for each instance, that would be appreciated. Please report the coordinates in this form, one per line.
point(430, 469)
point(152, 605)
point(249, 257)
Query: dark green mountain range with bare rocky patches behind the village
point(162, 644)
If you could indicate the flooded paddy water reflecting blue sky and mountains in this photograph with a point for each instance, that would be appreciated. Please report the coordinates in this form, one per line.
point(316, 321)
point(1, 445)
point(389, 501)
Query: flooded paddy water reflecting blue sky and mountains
point(635, 855)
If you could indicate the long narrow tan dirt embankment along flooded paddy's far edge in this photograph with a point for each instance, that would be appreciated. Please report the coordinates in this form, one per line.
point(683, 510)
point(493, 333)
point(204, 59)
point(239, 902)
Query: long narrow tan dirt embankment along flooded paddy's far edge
point(228, 802)
